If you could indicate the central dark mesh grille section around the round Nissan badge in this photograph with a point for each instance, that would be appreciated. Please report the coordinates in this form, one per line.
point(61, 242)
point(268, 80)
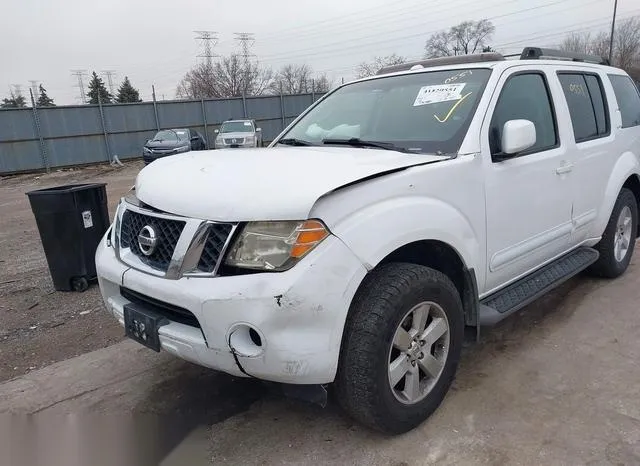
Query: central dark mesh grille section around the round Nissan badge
point(167, 231)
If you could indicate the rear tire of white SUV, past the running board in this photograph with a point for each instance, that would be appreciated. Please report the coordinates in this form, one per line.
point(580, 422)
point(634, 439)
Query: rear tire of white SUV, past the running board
point(613, 262)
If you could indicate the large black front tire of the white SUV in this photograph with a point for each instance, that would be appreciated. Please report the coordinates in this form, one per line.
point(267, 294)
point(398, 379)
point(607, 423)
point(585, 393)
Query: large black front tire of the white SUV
point(381, 306)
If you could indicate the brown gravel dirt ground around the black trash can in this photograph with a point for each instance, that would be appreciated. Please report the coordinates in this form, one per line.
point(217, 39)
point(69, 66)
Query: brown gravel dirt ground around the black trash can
point(38, 325)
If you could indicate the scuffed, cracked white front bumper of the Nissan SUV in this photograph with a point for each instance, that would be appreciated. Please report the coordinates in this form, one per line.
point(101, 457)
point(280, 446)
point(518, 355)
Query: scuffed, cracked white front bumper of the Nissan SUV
point(299, 314)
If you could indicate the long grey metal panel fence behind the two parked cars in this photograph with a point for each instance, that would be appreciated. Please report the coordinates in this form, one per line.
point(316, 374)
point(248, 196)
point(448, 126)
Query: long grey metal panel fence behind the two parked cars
point(53, 137)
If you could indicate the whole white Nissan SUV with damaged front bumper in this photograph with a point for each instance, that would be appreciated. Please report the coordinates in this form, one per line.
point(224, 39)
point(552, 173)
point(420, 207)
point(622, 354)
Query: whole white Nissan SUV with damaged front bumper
point(389, 216)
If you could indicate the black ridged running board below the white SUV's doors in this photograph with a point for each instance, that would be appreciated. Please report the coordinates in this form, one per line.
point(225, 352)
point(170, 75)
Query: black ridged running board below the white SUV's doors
point(514, 297)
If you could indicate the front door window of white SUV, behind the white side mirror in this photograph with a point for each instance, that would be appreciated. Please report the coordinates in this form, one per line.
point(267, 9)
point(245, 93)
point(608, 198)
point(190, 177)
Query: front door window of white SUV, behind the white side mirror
point(525, 97)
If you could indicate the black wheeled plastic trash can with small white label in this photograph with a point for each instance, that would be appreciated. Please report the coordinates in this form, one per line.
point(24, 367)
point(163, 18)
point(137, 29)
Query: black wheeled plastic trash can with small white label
point(71, 220)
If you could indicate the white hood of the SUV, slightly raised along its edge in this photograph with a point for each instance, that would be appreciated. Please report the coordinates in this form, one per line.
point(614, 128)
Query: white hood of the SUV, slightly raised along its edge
point(279, 183)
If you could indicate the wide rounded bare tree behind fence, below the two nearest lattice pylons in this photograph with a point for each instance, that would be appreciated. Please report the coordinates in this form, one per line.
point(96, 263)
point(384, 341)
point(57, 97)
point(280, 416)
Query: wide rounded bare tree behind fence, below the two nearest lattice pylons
point(229, 77)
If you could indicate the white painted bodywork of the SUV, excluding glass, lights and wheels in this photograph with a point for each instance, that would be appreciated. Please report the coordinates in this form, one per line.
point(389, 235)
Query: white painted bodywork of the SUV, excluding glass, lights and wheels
point(504, 220)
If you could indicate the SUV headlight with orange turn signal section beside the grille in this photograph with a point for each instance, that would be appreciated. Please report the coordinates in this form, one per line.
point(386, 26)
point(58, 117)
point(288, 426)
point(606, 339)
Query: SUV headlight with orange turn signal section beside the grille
point(275, 245)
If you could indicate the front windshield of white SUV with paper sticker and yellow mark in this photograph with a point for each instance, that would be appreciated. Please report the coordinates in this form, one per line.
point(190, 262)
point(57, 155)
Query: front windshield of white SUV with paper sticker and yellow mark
point(422, 112)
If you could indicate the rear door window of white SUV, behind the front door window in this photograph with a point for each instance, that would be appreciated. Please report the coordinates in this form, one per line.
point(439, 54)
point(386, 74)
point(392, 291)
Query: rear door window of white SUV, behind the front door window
point(586, 105)
